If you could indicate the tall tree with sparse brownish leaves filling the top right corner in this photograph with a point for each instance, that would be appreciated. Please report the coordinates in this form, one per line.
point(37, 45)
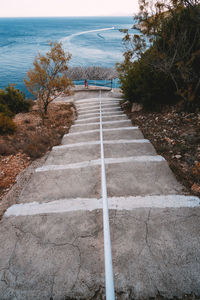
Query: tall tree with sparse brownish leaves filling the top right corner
point(172, 29)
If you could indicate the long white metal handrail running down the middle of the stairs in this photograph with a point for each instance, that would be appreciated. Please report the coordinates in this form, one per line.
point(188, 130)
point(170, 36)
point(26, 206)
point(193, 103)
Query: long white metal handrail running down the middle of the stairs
point(109, 281)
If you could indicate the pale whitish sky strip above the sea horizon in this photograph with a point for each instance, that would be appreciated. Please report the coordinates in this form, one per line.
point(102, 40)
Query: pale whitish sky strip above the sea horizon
point(58, 8)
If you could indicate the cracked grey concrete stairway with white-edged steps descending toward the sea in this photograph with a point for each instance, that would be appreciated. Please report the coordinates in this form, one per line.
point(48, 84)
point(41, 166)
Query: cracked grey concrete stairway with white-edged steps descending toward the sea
point(52, 240)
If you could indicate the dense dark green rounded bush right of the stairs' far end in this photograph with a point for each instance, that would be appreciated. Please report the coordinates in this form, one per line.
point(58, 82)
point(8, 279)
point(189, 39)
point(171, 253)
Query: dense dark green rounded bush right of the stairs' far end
point(142, 84)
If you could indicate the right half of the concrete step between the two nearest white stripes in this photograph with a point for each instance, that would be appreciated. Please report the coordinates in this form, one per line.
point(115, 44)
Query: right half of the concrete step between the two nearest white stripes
point(141, 178)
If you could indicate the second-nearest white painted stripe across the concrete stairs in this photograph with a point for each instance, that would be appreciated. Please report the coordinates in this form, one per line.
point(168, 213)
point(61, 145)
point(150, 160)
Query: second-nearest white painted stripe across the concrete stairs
point(96, 162)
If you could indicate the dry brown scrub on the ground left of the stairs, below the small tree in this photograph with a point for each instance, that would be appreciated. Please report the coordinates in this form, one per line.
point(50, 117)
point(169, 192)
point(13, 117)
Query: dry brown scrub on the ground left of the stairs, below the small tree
point(34, 138)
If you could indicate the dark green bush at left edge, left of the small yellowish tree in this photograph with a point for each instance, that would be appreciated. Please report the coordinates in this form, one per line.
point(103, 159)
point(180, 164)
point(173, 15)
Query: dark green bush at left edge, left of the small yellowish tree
point(12, 101)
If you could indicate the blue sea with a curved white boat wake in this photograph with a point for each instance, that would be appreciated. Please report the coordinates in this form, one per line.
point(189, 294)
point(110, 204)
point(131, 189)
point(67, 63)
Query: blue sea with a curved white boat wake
point(91, 41)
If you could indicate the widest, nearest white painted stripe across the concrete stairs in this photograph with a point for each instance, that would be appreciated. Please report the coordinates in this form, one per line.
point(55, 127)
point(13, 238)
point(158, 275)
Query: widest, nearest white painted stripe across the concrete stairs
point(90, 204)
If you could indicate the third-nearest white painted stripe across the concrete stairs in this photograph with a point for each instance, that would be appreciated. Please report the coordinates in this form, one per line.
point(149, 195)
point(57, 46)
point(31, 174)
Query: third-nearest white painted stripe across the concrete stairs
point(111, 142)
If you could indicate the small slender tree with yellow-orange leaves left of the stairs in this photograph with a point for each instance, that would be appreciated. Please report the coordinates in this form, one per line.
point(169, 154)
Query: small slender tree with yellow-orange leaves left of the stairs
point(47, 80)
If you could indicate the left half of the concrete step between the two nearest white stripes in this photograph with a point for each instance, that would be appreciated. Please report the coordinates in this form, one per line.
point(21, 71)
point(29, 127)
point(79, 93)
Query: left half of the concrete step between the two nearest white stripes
point(62, 184)
